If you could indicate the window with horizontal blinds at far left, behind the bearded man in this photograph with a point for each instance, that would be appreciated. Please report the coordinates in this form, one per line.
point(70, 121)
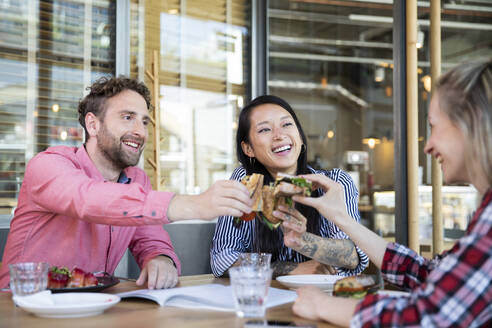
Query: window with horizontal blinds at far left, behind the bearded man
point(49, 52)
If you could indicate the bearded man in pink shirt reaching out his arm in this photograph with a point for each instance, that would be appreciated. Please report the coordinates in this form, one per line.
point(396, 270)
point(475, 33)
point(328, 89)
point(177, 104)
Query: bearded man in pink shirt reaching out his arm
point(85, 206)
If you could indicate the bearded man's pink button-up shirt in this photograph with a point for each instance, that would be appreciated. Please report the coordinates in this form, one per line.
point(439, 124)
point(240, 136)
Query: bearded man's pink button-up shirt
point(68, 215)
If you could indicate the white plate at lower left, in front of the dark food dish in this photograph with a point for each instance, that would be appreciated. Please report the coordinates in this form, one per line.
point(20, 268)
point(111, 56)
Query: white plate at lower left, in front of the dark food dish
point(66, 305)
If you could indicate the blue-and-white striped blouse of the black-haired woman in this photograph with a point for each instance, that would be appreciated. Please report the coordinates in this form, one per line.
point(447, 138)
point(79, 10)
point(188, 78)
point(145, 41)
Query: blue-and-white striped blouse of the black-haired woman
point(228, 241)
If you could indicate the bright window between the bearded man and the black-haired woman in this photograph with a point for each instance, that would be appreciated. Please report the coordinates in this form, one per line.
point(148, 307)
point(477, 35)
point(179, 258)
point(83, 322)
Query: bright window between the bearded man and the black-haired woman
point(204, 80)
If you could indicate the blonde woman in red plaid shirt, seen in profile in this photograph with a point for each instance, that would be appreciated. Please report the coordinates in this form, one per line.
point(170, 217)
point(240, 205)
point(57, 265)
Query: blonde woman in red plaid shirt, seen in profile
point(454, 289)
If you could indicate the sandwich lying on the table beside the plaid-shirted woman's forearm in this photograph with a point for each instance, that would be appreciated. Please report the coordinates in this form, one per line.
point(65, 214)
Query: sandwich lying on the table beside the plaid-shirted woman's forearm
point(355, 286)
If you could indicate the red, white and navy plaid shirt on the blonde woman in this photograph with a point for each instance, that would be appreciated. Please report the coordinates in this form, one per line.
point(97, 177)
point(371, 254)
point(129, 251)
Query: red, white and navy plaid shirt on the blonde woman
point(452, 290)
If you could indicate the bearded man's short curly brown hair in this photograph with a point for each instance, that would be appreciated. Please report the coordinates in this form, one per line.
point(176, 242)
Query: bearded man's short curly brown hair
point(105, 88)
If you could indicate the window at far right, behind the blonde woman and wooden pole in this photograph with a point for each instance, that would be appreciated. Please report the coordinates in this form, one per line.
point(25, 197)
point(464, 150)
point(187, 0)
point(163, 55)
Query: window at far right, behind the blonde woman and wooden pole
point(465, 30)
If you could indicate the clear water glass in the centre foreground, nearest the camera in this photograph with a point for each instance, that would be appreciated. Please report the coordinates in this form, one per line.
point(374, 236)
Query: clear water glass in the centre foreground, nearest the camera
point(250, 286)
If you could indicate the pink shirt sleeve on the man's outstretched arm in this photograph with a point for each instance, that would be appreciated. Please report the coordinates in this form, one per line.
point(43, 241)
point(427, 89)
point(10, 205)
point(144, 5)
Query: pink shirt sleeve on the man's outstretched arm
point(65, 189)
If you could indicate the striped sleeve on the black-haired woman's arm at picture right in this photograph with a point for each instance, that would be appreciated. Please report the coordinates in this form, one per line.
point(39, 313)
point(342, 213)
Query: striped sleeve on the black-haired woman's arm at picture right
point(352, 200)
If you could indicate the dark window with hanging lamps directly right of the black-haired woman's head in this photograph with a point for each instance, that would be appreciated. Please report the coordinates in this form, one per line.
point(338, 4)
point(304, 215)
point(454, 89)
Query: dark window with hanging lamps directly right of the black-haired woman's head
point(333, 64)
